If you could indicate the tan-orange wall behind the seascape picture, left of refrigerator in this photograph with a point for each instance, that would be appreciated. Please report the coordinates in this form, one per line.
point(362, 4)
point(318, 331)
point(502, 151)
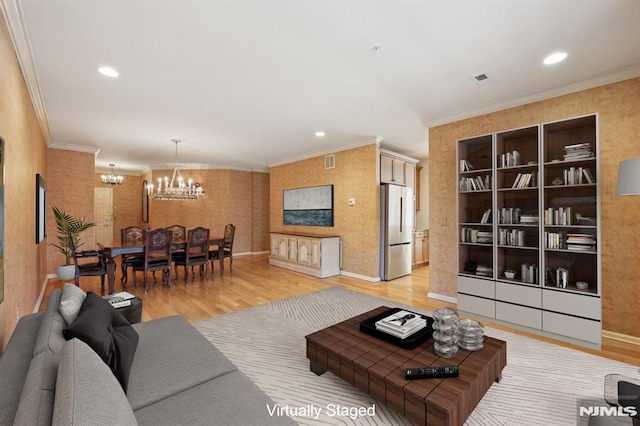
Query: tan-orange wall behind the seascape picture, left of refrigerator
point(355, 176)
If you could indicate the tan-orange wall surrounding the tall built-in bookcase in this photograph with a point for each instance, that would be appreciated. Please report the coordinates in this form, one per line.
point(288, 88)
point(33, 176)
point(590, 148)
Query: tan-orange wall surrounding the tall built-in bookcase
point(619, 108)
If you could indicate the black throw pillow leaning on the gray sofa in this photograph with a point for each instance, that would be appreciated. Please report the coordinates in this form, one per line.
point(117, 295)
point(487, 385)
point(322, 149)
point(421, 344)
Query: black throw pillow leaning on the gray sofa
point(108, 333)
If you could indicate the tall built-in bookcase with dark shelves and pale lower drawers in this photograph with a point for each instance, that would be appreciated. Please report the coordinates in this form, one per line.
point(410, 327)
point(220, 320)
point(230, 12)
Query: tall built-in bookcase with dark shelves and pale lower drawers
point(528, 228)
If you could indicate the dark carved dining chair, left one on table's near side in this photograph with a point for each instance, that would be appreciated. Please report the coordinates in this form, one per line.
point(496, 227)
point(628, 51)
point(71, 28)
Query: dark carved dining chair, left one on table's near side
point(157, 257)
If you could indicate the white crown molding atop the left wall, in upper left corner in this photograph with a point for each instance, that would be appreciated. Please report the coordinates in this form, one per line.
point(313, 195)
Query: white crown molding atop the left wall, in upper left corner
point(14, 17)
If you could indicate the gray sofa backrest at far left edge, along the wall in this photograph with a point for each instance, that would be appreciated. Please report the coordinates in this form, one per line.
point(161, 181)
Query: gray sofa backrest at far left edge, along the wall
point(14, 365)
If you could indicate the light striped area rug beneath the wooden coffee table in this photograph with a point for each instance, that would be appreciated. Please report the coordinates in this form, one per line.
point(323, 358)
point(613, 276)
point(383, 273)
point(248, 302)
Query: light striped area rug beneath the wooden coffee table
point(541, 384)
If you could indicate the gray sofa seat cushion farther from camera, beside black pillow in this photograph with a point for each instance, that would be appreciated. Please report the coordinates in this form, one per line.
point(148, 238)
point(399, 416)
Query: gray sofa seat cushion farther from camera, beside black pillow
point(172, 356)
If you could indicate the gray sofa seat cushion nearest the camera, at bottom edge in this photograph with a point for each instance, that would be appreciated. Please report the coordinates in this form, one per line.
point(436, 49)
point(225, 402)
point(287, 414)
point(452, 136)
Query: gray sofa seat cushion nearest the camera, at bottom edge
point(231, 399)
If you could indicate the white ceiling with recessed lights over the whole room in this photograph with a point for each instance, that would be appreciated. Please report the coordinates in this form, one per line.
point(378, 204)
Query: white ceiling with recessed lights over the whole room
point(245, 84)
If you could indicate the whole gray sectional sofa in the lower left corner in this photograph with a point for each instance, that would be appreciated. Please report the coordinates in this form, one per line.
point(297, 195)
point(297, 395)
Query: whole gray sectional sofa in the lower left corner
point(177, 377)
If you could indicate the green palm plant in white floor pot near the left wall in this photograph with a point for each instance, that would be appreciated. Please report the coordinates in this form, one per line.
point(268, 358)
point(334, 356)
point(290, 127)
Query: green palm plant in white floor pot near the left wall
point(67, 224)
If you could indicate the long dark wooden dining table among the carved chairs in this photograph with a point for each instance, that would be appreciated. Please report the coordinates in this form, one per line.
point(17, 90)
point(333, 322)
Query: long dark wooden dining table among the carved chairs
point(111, 251)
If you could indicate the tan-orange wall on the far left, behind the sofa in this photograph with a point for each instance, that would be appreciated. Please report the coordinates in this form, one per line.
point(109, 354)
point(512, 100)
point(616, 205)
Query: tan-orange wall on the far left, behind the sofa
point(25, 155)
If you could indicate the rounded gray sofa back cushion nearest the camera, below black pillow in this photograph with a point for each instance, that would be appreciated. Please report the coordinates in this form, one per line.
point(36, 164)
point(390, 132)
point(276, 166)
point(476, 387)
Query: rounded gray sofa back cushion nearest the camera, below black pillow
point(87, 392)
